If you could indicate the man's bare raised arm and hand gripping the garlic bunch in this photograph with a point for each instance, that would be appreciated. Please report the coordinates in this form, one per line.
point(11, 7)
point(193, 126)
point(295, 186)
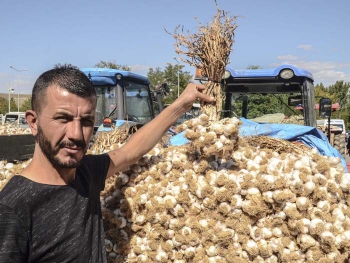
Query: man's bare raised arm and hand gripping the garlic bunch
point(149, 135)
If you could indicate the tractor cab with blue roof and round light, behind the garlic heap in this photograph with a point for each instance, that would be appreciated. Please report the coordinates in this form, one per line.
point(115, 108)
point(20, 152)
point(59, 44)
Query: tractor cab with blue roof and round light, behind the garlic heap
point(270, 95)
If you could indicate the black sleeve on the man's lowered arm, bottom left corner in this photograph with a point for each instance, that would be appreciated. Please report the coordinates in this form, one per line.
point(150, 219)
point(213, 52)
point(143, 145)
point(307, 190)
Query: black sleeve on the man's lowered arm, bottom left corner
point(14, 240)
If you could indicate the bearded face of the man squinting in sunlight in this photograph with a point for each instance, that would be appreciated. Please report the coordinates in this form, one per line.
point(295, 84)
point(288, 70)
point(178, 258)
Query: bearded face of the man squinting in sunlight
point(65, 126)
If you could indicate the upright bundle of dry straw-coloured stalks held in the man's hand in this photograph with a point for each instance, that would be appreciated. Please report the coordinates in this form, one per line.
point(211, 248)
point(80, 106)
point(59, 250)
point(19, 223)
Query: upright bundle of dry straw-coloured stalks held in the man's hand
point(209, 50)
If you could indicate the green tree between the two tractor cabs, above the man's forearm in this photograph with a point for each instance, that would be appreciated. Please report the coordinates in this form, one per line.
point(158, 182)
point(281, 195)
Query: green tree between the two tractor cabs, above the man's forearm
point(169, 75)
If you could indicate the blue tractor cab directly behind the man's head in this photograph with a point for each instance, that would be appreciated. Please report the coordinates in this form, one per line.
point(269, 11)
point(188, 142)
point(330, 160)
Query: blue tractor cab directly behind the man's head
point(123, 96)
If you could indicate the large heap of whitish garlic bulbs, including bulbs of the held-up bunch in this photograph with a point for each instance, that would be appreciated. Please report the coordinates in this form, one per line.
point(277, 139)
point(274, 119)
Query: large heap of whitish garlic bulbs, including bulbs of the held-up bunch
point(217, 199)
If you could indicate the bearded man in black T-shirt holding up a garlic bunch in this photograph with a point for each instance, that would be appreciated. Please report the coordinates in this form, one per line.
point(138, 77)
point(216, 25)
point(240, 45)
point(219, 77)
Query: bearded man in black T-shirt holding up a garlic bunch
point(51, 212)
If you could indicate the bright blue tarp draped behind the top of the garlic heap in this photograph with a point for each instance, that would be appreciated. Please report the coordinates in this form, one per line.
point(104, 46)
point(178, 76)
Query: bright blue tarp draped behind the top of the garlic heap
point(309, 136)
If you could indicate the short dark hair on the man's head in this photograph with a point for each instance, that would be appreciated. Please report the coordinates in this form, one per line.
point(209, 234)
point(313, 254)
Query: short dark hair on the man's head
point(65, 76)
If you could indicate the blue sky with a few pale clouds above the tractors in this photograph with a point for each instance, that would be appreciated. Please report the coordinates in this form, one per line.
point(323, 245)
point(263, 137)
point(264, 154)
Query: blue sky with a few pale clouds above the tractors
point(35, 35)
